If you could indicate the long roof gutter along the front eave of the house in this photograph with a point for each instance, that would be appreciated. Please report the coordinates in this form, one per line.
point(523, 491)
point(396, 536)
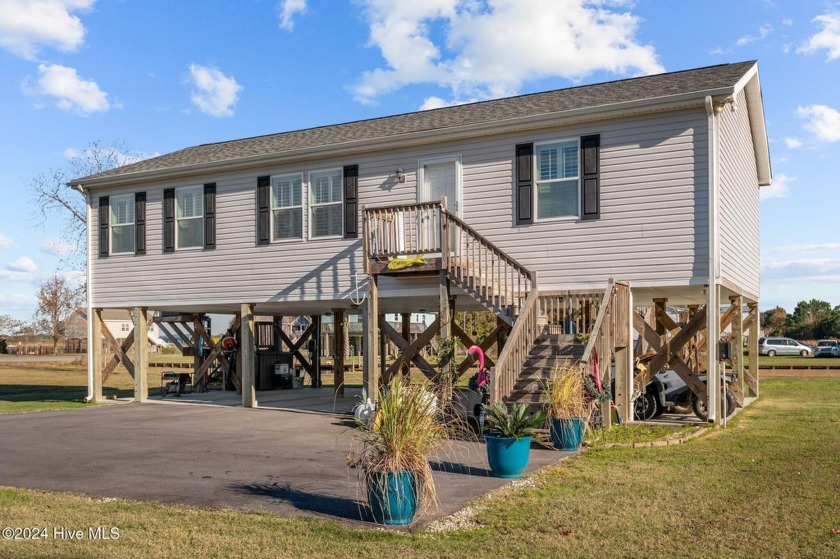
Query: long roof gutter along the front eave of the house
point(531, 122)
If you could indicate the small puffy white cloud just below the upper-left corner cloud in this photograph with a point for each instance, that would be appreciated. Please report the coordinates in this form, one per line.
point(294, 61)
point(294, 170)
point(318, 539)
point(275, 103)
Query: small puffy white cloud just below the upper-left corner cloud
point(71, 93)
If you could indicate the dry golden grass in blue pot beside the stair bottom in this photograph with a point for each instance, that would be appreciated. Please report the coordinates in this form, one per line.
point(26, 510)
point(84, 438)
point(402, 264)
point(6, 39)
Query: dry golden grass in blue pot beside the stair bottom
point(567, 407)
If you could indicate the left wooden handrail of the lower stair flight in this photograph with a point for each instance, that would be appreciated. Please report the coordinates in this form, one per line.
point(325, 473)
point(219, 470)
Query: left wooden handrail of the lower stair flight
point(517, 347)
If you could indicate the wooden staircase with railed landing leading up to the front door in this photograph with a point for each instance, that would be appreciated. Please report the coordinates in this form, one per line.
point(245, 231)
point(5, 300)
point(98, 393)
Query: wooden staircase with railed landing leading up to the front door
point(543, 324)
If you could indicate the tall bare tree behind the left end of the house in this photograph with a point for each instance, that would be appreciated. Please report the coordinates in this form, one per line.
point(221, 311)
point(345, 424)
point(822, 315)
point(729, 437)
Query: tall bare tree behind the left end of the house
point(55, 200)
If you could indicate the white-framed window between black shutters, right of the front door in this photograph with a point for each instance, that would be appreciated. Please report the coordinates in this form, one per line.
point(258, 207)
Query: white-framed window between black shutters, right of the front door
point(558, 179)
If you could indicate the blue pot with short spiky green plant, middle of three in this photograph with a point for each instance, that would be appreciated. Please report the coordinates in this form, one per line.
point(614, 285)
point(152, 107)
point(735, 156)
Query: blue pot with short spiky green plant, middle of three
point(508, 437)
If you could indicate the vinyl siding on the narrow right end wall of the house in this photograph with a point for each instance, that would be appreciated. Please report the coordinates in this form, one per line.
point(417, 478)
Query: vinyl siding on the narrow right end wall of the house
point(740, 259)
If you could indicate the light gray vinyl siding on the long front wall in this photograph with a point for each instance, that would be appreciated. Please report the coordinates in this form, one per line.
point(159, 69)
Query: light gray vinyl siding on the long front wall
point(652, 230)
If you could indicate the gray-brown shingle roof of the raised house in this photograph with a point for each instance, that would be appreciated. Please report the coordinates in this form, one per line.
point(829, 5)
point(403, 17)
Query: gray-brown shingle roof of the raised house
point(557, 101)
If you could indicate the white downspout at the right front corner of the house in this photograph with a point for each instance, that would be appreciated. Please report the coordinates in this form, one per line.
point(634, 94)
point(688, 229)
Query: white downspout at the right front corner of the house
point(713, 304)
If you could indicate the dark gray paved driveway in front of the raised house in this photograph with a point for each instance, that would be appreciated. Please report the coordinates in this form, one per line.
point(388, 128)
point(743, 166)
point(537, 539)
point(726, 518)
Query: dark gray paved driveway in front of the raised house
point(223, 457)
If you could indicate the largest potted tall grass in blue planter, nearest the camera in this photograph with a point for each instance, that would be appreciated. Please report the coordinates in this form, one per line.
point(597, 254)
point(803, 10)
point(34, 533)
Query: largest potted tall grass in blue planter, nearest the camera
point(395, 453)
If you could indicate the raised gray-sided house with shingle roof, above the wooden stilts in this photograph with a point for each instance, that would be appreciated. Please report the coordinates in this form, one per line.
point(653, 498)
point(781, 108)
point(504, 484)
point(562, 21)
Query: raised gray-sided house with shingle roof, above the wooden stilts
point(653, 181)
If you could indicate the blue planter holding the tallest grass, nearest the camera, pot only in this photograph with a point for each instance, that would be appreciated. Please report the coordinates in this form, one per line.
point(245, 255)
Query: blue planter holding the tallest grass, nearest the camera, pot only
point(392, 497)
